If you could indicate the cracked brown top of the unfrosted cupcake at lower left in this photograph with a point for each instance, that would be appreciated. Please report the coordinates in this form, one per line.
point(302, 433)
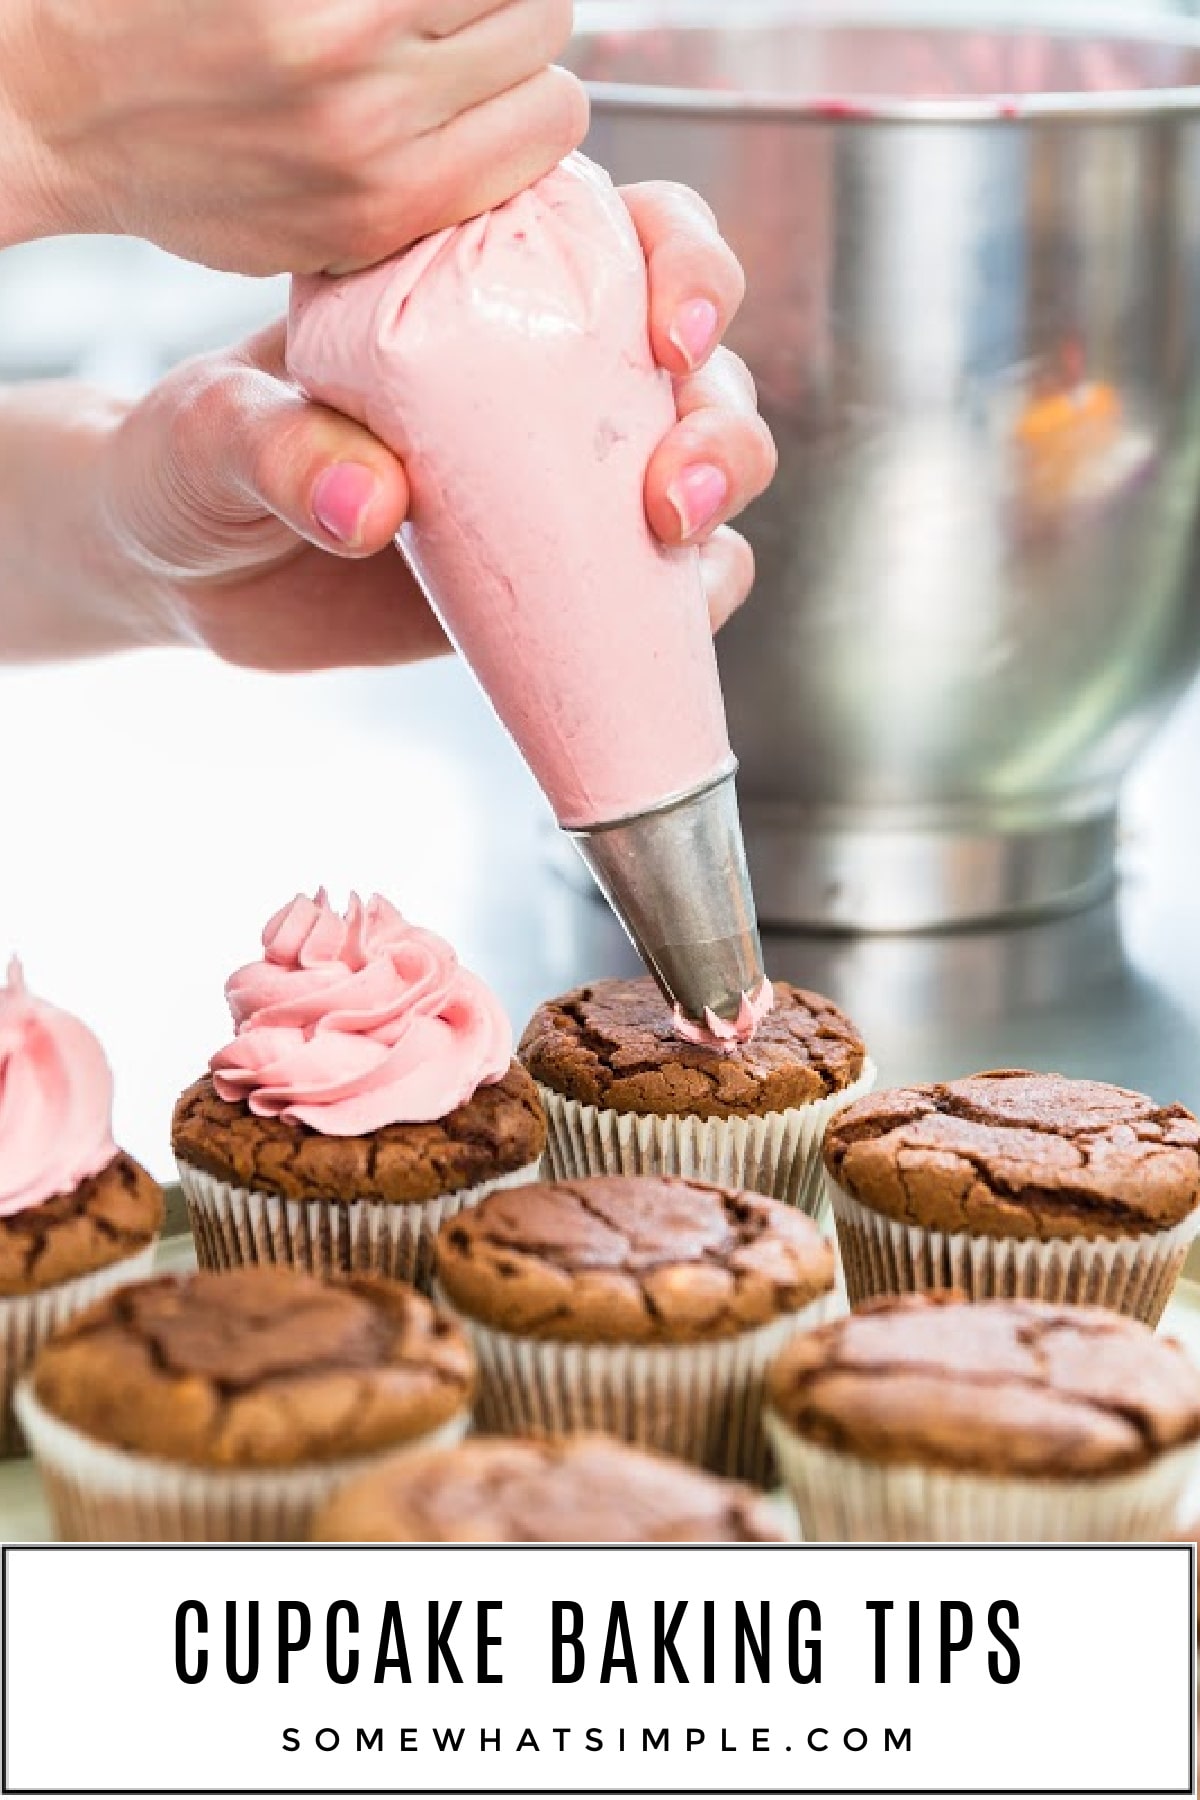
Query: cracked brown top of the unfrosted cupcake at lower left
point(256, 1369)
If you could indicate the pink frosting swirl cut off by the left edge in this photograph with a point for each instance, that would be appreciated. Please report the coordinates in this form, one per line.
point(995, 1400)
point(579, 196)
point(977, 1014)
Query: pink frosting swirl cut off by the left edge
point(57, 1101)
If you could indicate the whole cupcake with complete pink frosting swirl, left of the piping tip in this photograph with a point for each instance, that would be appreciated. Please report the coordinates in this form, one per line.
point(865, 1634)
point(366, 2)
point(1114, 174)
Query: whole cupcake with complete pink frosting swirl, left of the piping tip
point(370, 1093)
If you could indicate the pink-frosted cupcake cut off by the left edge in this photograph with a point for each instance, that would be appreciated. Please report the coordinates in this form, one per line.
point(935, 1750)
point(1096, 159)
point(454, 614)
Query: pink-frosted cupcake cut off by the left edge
point(76, 1214)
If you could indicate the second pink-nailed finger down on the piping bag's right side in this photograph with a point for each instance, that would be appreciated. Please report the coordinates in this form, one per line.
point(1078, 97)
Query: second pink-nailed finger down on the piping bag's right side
point(717, 460)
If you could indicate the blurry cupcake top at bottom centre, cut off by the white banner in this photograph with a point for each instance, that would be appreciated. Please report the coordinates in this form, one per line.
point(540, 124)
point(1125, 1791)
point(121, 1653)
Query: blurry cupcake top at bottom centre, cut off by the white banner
point(555, 1491)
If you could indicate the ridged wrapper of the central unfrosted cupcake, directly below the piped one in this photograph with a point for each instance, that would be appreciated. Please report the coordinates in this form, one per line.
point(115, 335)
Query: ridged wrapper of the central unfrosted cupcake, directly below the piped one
point(703, 1403)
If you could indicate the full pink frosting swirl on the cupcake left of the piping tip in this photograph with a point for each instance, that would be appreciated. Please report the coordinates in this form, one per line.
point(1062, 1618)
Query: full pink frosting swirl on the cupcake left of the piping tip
point(355, 1021)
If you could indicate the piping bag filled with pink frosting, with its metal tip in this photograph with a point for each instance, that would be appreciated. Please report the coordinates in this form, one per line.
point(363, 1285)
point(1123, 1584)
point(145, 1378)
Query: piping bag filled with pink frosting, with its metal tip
point(508, 364)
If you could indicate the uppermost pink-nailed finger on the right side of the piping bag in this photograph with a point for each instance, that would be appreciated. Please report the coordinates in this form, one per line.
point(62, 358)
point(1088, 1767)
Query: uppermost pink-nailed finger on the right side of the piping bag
point(695, 280)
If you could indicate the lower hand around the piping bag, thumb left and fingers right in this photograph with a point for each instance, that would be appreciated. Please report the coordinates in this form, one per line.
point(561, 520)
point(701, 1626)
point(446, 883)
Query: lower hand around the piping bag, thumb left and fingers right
point(228, 492)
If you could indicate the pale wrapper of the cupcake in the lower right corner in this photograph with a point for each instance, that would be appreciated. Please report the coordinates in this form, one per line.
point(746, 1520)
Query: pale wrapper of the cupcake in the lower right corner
point(843, 1498)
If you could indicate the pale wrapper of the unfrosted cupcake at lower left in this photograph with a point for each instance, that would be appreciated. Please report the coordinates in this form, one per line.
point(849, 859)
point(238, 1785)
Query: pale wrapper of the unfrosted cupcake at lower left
point(103, 1495)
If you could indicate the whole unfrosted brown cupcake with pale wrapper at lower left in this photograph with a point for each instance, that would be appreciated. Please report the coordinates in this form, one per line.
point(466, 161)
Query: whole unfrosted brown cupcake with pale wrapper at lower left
point(229, 1407)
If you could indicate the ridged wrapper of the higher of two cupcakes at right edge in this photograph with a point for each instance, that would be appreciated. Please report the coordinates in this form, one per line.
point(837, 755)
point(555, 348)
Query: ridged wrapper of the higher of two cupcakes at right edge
point(1131, 1275)
